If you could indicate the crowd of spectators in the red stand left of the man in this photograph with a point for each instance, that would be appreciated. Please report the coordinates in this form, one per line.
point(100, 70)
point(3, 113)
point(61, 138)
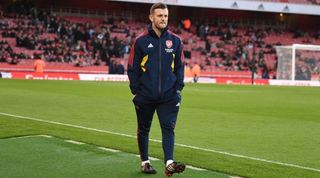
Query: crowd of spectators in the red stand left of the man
point(62, 40)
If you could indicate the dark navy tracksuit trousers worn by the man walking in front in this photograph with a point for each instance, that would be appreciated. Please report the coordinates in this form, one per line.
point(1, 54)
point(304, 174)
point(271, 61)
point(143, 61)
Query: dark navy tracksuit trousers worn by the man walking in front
point(167, 111)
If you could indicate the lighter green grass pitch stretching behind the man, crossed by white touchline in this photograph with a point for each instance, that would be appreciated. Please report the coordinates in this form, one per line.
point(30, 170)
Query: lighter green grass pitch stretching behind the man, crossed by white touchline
point(249, 131)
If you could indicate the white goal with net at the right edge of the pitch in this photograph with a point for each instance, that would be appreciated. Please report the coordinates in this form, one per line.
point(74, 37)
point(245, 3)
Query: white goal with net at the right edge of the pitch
point(298, 62)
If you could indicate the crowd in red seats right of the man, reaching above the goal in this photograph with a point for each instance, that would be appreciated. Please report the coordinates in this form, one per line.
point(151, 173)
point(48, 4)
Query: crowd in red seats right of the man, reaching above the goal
point(236, 48)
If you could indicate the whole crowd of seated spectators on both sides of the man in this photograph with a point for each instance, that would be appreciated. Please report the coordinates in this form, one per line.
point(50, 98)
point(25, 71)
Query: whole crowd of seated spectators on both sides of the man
point(85, 43)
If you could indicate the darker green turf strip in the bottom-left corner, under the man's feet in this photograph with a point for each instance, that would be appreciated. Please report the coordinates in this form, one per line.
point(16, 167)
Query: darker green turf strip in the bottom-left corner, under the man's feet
point(53, 157)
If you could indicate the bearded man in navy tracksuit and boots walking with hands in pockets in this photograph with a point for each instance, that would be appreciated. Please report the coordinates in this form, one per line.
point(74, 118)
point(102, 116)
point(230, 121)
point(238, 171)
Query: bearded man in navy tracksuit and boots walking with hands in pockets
point(156, 73)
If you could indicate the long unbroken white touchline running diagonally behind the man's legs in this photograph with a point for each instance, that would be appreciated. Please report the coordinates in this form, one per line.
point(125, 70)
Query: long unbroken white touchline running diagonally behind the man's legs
point(177, 144)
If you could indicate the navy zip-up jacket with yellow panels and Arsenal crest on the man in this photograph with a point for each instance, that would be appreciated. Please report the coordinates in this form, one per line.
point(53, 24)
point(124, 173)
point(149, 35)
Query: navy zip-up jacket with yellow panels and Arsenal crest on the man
point(155, 66)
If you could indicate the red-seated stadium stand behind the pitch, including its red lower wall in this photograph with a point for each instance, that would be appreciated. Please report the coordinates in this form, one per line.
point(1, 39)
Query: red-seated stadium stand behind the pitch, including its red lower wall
point(94, 45)
